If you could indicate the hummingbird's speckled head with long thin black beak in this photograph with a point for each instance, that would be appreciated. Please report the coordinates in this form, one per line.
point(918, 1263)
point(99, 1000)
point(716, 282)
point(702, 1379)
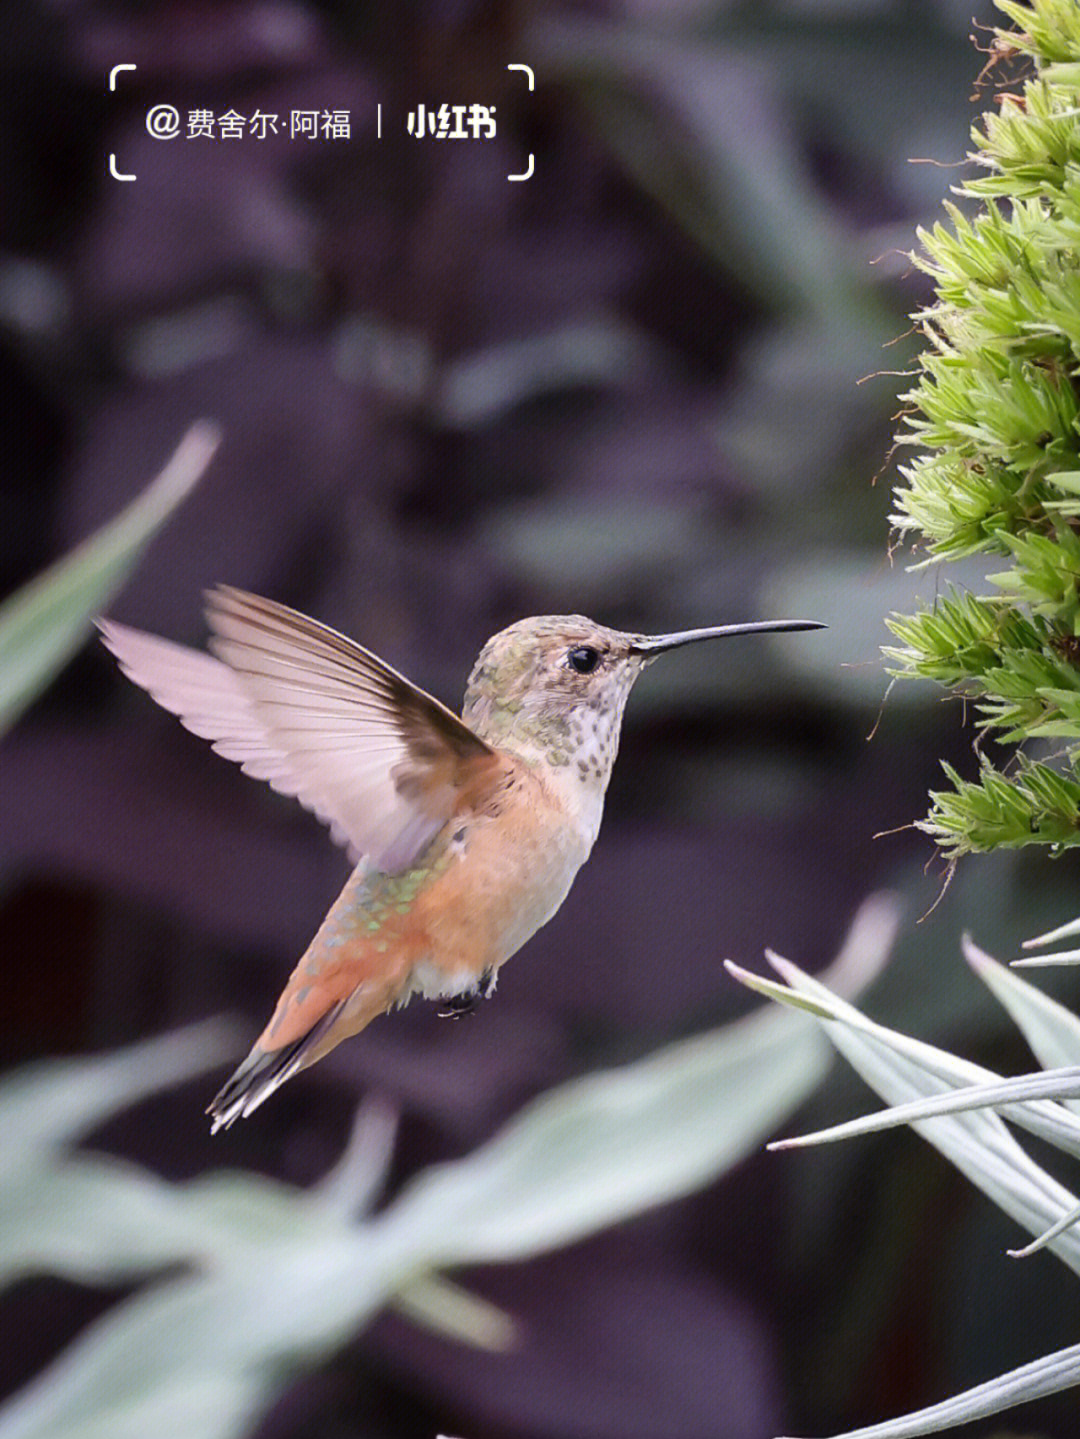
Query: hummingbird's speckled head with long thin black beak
point(553, 689)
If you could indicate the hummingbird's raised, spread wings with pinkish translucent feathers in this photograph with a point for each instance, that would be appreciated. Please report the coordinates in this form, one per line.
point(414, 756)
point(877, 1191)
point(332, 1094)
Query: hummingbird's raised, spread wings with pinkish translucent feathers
point(319, 717)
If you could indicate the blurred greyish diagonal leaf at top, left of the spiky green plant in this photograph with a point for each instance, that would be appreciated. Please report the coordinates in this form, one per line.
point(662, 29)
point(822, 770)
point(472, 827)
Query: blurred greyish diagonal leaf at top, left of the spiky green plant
point(701, 130)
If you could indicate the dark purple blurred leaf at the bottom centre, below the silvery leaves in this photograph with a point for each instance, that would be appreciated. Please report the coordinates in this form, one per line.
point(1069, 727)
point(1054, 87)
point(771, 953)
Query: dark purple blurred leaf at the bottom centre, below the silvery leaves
point(618, 1340)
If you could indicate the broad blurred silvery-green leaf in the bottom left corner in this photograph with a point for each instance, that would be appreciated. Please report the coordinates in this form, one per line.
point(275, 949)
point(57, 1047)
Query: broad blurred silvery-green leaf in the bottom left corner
point(234, 1333)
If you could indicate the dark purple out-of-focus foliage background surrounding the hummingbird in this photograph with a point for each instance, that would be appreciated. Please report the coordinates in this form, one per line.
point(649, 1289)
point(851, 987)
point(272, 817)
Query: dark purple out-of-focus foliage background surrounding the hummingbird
point(629, 388)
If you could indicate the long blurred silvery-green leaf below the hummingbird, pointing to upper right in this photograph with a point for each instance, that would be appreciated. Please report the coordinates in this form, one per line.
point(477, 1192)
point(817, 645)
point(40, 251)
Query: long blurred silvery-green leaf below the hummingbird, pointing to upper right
point(602, 1149)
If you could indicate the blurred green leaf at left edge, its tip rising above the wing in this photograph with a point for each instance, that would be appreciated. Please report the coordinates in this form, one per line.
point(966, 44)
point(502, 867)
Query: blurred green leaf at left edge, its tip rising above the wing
point(45, 622)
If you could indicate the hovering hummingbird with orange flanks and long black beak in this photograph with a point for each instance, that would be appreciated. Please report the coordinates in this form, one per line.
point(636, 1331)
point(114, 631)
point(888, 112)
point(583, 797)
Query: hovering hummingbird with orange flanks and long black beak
point(465, 834)
